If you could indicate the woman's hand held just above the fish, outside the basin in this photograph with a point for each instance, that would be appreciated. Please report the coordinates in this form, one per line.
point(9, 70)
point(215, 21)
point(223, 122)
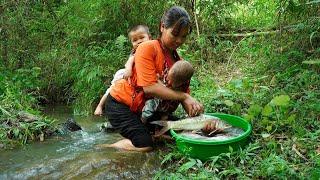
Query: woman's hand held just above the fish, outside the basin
point(192, 106)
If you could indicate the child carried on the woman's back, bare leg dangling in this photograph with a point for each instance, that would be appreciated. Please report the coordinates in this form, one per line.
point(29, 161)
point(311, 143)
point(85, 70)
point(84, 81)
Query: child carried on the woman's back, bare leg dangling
point(137, 35)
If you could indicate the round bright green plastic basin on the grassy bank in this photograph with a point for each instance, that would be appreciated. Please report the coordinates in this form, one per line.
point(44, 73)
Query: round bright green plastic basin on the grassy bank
point(204, 149)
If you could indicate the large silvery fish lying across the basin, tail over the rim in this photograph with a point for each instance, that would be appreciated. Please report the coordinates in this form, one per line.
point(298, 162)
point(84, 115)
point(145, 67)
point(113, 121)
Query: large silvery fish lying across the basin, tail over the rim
point(192, 123)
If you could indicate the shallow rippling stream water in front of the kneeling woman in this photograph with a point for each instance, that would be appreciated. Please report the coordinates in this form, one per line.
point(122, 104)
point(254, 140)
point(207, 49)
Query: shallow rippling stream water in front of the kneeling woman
point(75, 155)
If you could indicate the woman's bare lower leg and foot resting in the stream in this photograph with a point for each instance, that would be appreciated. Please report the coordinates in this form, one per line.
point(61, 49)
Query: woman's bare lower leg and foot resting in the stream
point(125, 144)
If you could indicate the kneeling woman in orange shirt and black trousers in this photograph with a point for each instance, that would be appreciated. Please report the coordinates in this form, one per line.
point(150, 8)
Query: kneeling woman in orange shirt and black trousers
point(152, 59)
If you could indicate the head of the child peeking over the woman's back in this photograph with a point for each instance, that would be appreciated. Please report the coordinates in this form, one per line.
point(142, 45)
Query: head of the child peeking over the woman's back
point(139, 34)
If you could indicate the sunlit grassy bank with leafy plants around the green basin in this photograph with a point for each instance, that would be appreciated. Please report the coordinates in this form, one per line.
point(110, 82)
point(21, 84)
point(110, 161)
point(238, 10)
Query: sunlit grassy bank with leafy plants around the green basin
point(278, 95)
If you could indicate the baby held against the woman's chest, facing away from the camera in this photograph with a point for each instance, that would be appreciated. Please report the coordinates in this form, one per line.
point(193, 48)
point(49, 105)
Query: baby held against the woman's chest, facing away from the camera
point(178, 79)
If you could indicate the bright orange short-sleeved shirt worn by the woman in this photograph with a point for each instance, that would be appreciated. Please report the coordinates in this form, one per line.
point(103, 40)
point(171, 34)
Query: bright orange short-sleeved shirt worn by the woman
point(149, 61)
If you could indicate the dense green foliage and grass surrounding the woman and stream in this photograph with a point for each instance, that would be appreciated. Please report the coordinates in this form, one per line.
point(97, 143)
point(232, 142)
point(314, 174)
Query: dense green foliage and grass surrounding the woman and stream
point(258, 59)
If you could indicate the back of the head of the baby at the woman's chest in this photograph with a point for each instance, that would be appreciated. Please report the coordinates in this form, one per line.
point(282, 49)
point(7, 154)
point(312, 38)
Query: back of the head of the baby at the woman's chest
point(180, 73)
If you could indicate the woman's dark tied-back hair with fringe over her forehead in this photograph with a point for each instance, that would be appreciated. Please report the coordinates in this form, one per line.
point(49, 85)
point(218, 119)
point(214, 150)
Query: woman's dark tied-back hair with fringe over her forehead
point(176, 18)
